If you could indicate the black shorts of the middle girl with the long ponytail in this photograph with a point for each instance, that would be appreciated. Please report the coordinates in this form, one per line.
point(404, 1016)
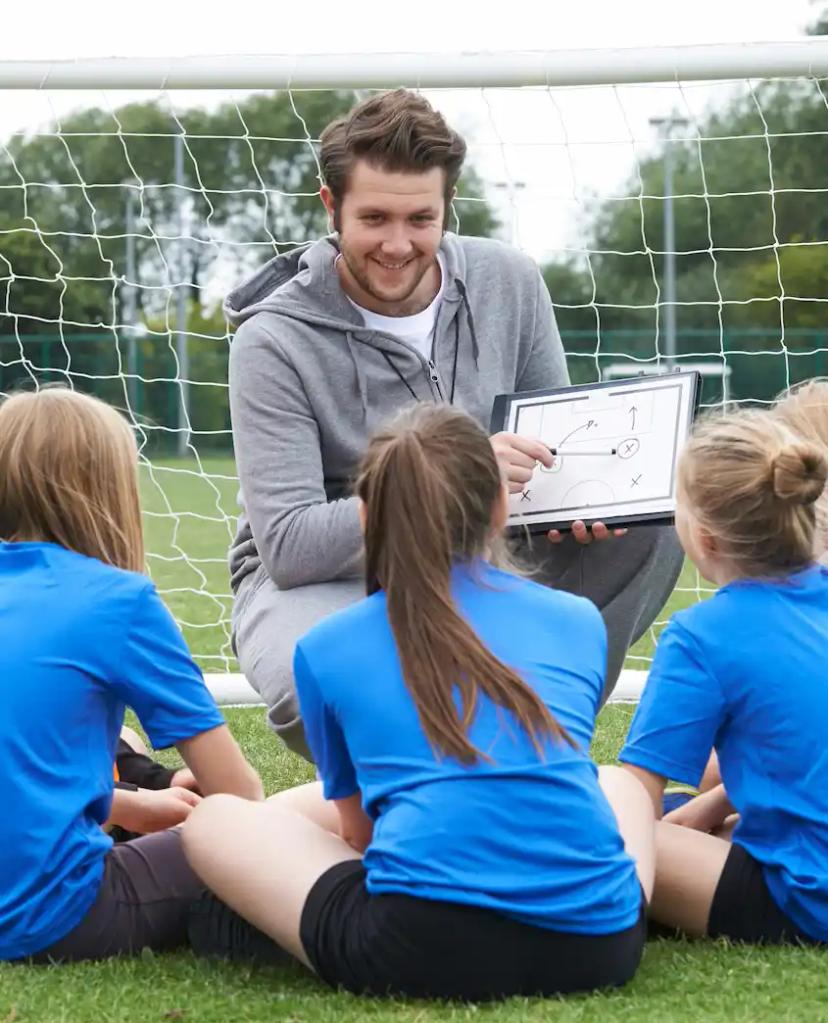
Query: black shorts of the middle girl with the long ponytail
point(398, 945)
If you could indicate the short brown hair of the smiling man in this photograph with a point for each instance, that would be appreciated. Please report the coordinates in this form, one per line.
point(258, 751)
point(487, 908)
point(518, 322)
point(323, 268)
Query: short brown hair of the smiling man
point(397, 131)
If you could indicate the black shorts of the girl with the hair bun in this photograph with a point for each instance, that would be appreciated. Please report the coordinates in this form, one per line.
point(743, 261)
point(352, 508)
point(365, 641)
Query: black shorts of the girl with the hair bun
point(744, 909)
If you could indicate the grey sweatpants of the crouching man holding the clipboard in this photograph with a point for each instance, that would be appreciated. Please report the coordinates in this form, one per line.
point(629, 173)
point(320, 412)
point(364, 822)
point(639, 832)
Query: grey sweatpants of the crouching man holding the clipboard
point(629, 580)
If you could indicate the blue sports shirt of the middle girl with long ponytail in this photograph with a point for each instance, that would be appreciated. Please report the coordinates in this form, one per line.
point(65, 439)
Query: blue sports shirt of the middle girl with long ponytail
point(534, 839)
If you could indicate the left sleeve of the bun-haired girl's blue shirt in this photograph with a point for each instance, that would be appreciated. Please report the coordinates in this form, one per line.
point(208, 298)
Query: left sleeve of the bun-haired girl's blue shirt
point(680, 714)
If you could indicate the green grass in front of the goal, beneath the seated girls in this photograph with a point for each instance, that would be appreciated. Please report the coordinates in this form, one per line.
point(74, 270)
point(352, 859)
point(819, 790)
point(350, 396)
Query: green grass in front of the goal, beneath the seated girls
point(679, 982)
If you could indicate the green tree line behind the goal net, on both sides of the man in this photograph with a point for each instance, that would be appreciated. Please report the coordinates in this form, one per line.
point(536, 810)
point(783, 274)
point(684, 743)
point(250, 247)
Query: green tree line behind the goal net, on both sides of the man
point(752, 230)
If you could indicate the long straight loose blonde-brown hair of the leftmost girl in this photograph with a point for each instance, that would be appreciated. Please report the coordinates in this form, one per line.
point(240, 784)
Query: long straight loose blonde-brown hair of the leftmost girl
point(69, 476)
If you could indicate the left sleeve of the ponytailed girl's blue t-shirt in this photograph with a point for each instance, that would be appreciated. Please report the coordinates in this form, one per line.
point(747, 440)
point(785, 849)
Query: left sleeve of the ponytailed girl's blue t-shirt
point(325, 735)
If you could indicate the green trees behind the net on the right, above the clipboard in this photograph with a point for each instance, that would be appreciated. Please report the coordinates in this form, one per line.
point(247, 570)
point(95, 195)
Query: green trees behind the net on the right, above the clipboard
point(752, 227)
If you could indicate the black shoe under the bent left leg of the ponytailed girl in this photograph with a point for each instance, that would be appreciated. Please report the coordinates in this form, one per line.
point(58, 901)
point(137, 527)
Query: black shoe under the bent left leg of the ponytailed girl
point(216, 931)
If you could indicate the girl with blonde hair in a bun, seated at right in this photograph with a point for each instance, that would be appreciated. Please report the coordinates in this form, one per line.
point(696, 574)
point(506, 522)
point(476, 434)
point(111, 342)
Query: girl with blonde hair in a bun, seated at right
point(745, 673)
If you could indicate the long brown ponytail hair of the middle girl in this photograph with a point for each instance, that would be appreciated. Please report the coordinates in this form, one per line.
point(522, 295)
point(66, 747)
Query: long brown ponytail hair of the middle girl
point(430, 484)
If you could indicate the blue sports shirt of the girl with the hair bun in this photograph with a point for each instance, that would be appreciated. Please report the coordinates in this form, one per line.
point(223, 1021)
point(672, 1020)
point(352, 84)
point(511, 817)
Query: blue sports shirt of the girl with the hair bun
point(746, 673)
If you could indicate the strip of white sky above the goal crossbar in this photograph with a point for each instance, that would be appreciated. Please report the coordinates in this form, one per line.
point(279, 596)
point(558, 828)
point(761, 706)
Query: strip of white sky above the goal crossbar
point(169, 28)
